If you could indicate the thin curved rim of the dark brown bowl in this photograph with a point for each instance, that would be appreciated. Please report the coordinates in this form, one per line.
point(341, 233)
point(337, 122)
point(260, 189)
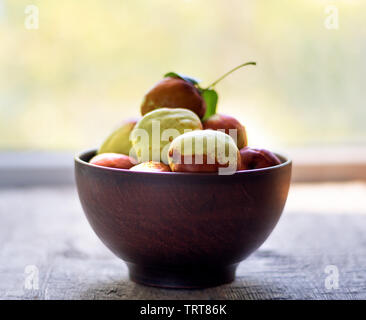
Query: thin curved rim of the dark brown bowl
point(77, 158)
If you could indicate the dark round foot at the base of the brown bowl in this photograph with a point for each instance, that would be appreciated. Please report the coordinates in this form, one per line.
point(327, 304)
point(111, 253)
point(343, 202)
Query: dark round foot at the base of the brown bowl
point(182, 278)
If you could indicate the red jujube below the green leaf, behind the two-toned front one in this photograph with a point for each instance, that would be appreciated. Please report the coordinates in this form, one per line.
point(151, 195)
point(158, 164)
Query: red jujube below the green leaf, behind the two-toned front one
point(225, 122)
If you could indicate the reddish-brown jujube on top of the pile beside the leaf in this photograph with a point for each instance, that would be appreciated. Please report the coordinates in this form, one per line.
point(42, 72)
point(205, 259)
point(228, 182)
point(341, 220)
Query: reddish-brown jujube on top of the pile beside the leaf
point(174, 93)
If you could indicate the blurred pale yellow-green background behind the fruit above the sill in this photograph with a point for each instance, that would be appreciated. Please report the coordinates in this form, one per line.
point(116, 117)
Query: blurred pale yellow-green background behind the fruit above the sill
point(68, 84)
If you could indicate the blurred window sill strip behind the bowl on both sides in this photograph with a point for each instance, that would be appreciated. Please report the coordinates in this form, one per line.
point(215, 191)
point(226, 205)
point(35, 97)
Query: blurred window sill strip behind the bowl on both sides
point(309, 165)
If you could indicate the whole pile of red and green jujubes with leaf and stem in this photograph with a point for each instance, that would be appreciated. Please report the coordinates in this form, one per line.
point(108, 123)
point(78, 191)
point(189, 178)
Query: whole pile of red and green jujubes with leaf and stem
point(185, 113)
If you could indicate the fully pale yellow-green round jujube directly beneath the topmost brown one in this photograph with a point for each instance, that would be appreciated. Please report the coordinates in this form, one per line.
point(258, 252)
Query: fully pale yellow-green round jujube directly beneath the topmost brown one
point(153, 134)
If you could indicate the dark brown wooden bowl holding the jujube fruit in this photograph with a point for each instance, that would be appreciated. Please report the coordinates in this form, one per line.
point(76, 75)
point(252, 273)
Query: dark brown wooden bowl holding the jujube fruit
point(182, 230)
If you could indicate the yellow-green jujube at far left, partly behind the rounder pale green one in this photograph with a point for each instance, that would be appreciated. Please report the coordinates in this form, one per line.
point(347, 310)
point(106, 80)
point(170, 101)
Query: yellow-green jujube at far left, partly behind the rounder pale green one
point(119, 140)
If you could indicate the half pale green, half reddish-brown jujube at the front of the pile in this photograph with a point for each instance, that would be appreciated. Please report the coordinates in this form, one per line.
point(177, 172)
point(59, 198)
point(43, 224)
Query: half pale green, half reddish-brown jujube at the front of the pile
point(209, 159)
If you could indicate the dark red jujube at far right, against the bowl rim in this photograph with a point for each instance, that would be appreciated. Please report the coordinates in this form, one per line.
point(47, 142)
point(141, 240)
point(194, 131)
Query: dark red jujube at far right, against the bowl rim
point(252, 158)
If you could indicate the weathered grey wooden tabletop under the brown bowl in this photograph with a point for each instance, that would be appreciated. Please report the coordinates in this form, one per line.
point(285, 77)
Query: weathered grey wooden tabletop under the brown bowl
point(317, 251)
